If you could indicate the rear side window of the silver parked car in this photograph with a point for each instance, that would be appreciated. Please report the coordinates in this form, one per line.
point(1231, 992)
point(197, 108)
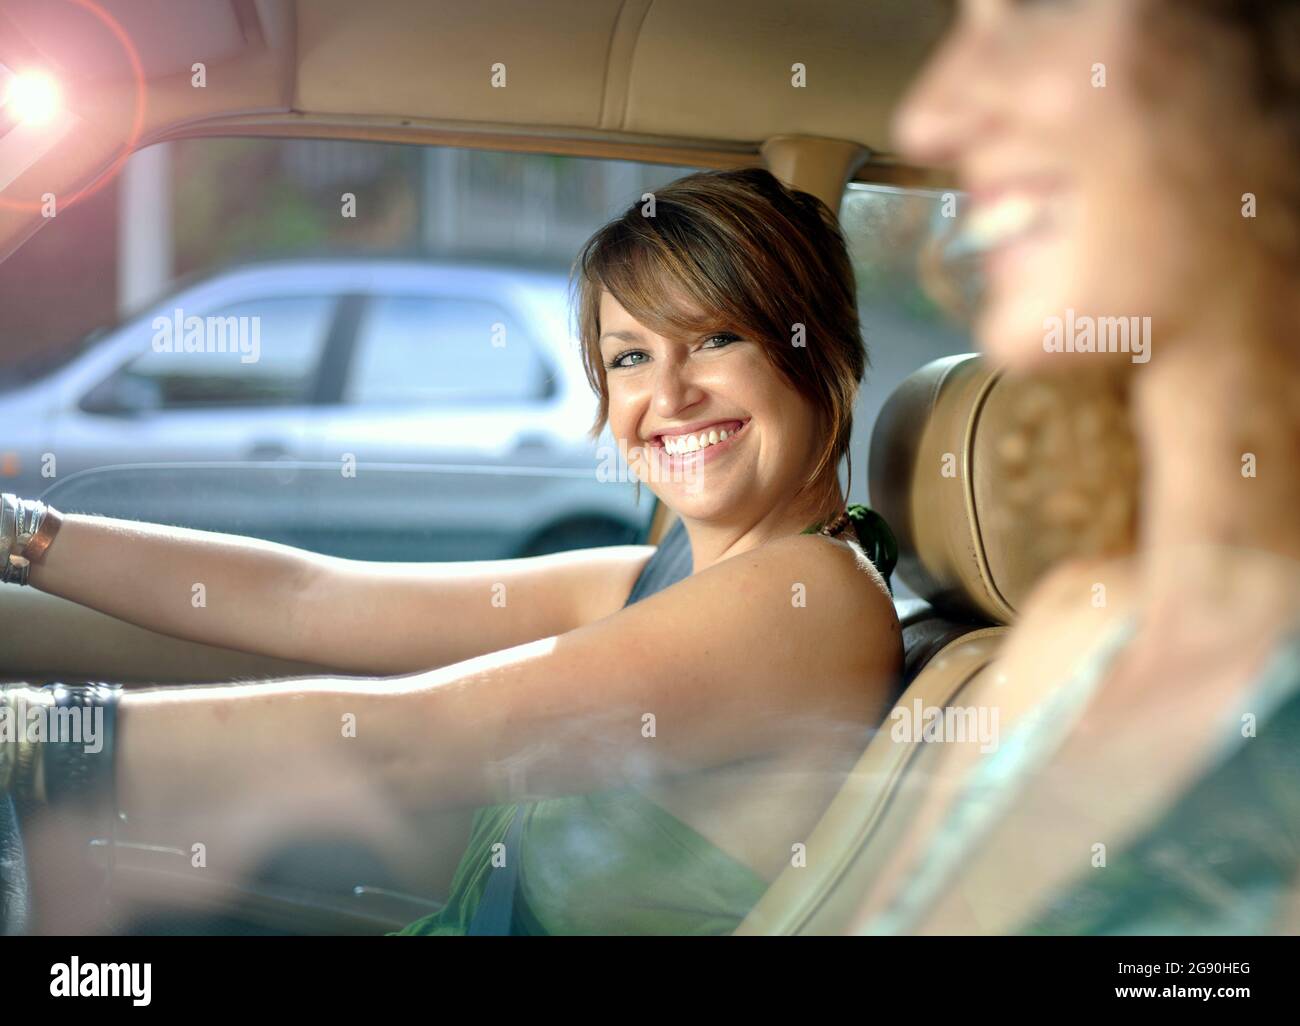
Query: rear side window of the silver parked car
point(434, 350)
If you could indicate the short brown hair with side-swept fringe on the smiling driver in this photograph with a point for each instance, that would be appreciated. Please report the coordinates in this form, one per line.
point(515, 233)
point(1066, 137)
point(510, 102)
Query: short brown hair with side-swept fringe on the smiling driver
point(735, 250)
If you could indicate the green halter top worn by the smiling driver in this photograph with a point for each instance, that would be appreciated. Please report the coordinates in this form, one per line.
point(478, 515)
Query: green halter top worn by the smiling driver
point(616, 862)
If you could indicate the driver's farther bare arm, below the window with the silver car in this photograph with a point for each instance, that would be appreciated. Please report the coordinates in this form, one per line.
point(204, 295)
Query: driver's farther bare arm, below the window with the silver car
point(359, 618)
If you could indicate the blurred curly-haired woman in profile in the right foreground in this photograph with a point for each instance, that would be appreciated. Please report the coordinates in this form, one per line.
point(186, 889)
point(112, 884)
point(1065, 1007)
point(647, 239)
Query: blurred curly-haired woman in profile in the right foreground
point(1134, 159)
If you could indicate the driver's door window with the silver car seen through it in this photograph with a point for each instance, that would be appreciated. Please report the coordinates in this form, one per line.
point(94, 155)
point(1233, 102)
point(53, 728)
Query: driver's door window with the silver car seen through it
point(434, 253)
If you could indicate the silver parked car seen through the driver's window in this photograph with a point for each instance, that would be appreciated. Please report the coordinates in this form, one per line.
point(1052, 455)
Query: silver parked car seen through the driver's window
point(444, 408)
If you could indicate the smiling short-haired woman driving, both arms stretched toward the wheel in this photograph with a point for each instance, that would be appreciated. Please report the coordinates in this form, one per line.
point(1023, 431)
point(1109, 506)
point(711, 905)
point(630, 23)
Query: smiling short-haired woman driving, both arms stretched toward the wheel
point(644, 756)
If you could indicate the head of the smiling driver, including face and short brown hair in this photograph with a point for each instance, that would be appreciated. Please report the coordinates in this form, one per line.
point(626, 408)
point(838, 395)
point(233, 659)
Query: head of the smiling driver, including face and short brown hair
point(726, 302)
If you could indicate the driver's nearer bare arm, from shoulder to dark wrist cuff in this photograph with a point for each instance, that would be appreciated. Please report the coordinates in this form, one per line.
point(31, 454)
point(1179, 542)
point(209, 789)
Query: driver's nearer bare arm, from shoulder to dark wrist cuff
point(720, 668)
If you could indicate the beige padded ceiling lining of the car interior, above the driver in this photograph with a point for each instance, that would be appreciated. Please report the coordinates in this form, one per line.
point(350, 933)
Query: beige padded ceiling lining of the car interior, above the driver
point(332, 70)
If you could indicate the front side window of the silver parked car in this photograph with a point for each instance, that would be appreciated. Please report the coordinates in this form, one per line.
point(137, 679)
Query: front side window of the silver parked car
point(259, 353)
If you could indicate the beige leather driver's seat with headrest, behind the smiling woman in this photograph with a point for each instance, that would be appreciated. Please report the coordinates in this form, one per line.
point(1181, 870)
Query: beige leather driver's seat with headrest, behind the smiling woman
point(935, 477)
